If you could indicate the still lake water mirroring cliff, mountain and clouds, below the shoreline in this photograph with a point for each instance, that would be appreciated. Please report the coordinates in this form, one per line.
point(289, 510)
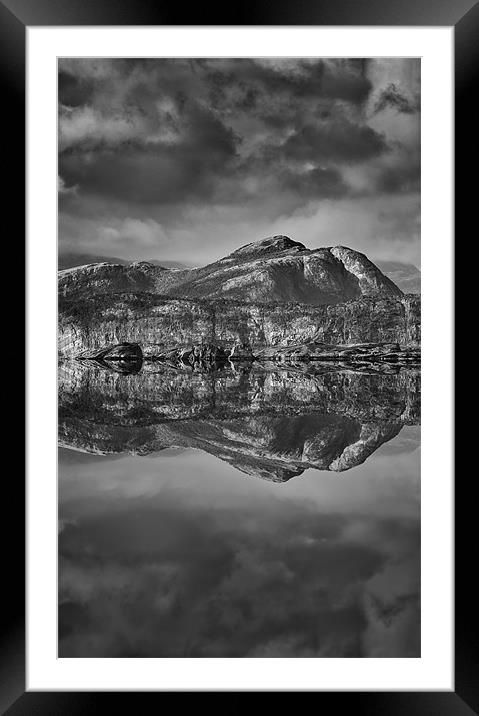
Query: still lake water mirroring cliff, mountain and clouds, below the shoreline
point(255, 514)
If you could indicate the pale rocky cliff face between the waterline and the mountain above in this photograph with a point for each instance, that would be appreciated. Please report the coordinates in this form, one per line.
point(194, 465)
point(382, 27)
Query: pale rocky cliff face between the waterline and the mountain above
point(159, 323)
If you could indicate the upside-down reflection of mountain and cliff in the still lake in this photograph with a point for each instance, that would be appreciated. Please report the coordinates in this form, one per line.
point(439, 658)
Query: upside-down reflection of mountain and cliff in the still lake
point(268, 420)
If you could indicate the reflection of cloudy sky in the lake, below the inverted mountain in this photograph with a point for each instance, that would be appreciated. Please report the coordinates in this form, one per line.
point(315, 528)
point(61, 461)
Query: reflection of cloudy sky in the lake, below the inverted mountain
point(184, 557)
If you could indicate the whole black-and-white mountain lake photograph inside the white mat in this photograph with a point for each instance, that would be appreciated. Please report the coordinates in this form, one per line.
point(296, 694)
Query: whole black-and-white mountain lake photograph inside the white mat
point(239, 357)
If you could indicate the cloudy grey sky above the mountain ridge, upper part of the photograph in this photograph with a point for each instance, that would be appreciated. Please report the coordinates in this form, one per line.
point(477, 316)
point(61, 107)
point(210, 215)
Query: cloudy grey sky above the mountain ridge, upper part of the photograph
point(186, 160)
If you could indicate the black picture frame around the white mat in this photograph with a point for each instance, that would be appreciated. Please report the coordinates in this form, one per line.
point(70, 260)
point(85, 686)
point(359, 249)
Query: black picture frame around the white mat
point(15, 17)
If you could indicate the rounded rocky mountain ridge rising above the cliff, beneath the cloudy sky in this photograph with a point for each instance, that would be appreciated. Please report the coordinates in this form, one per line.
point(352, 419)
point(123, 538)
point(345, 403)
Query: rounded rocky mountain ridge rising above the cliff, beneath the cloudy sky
point(274, 269)
